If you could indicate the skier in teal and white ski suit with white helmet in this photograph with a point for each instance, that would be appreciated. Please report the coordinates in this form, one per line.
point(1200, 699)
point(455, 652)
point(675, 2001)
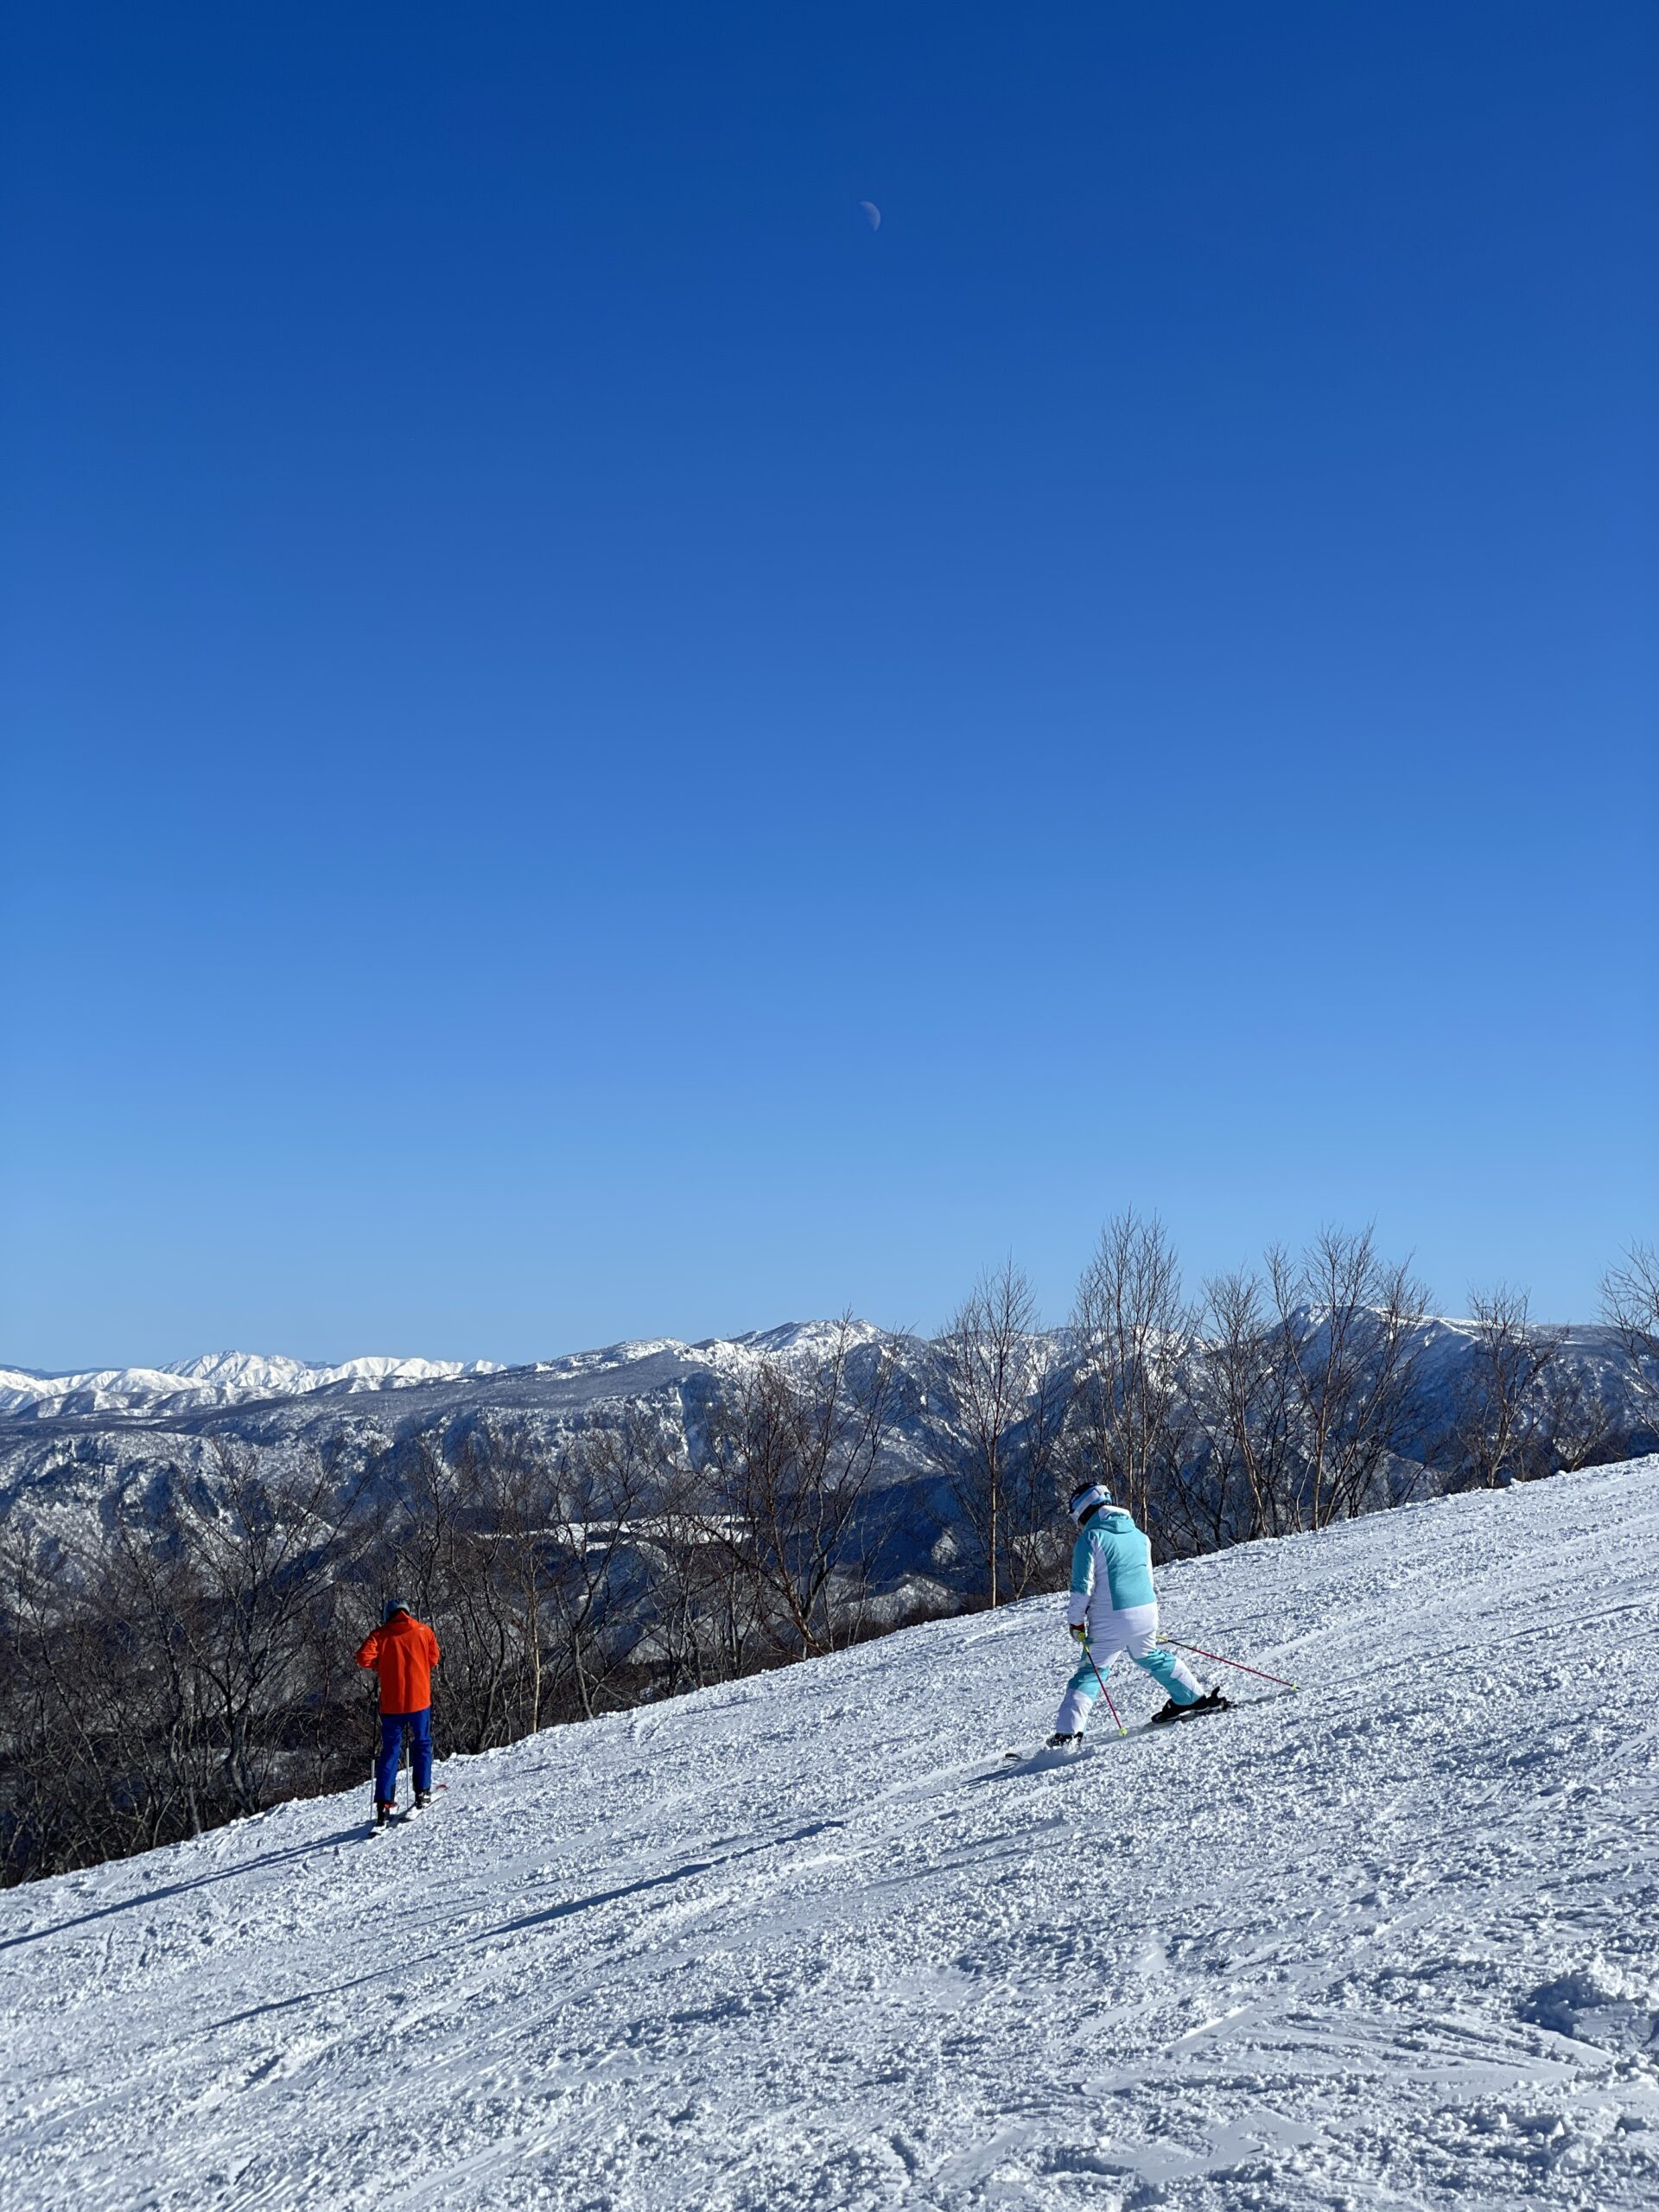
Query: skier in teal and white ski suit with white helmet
point(1114, 1609)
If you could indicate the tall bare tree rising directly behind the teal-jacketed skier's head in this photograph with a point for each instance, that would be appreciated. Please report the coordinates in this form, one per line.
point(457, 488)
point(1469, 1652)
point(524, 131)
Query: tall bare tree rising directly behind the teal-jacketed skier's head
point(1131, 1331)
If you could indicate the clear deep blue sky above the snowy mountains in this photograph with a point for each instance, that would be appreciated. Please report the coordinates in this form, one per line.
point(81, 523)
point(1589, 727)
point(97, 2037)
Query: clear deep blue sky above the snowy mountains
point(601, 749)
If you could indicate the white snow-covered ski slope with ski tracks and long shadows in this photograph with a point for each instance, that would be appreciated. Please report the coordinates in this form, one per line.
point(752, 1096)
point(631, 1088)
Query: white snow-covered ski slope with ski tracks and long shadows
point(811, 1943)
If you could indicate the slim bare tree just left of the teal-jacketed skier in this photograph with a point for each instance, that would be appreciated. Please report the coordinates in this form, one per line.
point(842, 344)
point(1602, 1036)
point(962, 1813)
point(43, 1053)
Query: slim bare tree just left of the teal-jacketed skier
point(997, 1430)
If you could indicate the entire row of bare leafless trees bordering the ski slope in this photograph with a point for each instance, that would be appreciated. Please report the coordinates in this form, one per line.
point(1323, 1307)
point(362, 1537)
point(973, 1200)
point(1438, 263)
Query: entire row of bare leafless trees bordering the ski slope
point(191, 1660)
